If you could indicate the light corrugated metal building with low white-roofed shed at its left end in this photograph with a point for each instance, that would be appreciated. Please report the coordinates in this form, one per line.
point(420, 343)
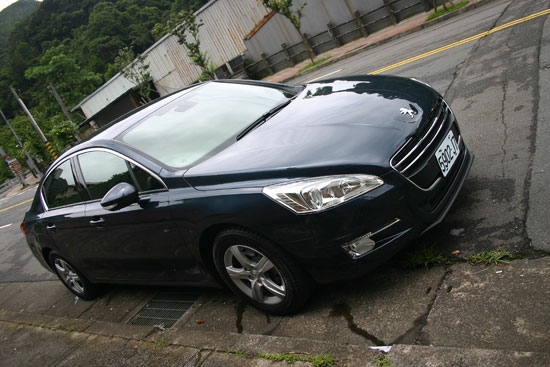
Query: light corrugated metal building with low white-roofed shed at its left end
point(226, 23)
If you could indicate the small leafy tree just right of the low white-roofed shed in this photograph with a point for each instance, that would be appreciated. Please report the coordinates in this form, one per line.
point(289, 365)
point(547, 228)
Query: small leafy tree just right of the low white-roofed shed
point(136, 70)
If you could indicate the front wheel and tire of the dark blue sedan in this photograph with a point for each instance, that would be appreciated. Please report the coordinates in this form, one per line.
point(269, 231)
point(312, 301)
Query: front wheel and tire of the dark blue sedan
point(258, 271)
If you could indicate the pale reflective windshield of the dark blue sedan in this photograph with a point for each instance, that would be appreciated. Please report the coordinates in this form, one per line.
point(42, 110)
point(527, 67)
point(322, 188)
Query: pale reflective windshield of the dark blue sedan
point(201, 122)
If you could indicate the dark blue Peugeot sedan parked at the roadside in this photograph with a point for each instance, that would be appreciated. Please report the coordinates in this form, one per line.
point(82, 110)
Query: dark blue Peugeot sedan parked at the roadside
point(266, 187)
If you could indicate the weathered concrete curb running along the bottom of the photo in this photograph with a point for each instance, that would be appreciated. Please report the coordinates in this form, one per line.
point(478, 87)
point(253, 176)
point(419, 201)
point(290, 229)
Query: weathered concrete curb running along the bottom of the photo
point(222, 348)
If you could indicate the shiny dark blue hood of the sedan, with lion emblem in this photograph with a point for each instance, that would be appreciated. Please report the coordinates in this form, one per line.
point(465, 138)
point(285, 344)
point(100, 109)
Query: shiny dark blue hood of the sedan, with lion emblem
point(331, 127)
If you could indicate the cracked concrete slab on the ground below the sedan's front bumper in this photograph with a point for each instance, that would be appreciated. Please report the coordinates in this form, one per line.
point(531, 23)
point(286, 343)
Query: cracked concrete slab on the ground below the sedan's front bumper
point(380, 309)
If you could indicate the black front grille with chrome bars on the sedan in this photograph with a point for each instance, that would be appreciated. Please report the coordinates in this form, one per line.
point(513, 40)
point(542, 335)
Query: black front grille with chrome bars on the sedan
point(418, 152)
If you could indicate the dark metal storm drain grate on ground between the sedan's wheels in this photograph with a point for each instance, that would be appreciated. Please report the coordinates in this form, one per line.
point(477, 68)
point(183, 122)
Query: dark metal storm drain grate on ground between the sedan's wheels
point(165, 308)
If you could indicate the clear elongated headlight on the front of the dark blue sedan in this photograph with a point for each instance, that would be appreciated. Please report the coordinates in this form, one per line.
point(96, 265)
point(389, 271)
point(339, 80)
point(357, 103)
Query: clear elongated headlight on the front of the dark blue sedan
point(321, 193)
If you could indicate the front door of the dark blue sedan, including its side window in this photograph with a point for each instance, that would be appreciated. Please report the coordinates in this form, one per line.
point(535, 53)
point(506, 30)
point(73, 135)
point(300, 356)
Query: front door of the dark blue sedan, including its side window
point(139, 243)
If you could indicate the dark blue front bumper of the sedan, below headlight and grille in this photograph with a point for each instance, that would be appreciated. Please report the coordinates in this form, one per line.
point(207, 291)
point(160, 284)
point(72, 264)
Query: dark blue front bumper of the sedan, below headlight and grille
point(316, 240)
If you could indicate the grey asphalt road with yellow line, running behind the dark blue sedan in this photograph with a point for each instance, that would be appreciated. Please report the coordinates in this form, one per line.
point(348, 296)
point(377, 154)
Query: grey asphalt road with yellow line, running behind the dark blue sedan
point(494, 85)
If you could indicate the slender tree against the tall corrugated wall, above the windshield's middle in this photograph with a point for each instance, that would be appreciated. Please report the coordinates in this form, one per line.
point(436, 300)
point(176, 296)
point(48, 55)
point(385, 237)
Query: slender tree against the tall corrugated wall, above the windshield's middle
point(185, 26)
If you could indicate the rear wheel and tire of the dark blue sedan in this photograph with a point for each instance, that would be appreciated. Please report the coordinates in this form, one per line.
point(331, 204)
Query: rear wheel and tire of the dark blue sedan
point(72, 278)
